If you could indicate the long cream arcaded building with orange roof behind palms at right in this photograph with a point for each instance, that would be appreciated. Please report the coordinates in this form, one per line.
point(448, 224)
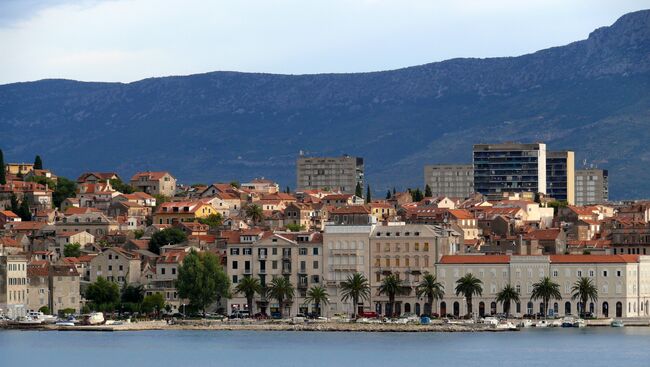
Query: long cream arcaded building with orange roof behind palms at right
point(622, 282)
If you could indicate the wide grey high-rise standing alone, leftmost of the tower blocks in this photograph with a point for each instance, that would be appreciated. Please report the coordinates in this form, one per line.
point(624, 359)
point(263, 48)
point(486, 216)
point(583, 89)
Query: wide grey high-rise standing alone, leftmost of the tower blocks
point(334, 173)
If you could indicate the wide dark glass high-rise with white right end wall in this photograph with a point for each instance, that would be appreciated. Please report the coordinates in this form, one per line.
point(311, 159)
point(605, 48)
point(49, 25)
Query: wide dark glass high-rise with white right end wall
point(509, 167)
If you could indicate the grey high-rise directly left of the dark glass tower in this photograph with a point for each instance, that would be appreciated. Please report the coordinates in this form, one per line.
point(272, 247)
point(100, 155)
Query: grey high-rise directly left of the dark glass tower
point(455, 180)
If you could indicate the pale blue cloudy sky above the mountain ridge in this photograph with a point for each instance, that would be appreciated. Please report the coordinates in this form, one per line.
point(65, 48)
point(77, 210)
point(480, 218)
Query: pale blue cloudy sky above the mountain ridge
point(129, 40)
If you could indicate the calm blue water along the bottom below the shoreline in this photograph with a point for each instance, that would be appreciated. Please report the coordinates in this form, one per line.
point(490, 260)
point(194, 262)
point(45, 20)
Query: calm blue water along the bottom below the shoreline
point(550, 347)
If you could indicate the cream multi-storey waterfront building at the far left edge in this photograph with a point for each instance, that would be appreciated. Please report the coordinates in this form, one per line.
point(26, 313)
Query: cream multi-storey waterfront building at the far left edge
point(13, 285)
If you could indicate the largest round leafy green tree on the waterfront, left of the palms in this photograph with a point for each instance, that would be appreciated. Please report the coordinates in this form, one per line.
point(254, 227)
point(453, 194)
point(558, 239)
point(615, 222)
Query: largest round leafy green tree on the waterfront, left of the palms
point(202, 280)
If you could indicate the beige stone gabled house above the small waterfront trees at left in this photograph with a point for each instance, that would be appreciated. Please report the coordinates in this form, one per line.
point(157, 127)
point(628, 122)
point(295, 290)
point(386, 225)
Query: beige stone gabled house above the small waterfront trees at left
point(116, 265)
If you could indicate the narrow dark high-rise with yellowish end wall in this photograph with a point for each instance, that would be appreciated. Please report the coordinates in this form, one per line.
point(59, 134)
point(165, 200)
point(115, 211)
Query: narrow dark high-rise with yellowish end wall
point(560, 176)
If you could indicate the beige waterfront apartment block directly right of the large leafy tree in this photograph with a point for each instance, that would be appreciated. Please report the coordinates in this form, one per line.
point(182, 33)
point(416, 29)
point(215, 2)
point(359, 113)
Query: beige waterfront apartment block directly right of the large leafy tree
point(298, 256)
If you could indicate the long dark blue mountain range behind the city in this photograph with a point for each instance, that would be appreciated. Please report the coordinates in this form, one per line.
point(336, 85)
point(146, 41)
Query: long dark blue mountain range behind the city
point(591, 96)
